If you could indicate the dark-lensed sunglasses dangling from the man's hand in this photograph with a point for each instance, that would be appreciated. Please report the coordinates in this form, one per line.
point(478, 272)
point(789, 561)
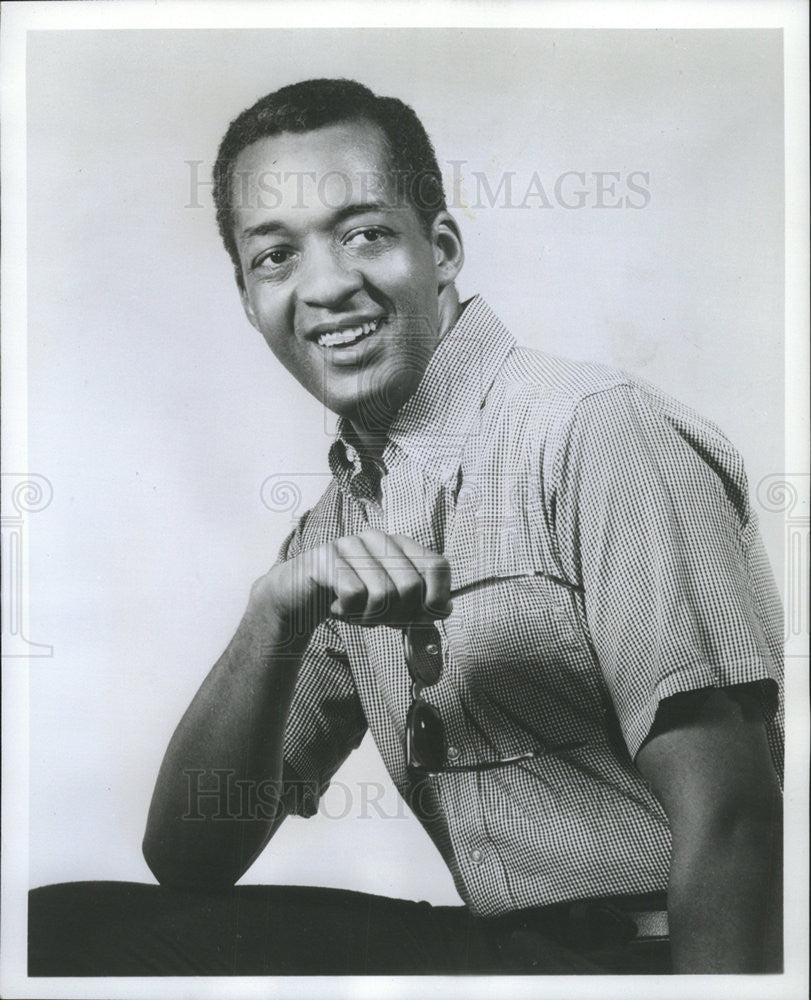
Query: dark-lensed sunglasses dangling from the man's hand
point(426, 743)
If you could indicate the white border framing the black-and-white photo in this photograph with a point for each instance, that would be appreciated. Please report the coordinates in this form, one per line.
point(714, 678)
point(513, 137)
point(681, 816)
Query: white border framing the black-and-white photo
point(17, 20)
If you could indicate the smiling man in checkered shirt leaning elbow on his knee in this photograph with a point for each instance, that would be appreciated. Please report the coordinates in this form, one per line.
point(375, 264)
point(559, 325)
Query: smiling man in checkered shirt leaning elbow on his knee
point(539, 584)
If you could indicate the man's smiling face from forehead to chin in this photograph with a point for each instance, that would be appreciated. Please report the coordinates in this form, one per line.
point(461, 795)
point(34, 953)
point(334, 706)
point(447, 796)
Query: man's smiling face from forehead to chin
point(339, 276)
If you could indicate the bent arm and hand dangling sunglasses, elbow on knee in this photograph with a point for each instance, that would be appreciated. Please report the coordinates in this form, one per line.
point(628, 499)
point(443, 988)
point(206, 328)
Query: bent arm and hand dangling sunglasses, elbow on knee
point(235, 724)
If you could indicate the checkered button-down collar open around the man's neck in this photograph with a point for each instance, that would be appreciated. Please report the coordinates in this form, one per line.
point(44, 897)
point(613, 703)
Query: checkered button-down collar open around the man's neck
point(434, 422)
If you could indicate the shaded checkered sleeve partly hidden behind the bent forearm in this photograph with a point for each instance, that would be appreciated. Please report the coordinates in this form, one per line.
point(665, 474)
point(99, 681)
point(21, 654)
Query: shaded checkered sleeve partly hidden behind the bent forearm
point(326, 721)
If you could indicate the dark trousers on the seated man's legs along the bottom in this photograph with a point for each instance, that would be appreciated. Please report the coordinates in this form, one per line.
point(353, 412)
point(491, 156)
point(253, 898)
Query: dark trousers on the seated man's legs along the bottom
point(129, 929)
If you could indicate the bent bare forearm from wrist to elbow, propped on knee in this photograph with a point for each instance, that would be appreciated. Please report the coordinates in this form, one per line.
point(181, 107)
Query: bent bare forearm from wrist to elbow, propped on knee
point(215, 798)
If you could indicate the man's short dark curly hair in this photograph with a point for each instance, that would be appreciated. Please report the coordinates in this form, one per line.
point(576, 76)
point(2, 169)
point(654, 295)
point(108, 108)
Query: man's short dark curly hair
point(313, 104)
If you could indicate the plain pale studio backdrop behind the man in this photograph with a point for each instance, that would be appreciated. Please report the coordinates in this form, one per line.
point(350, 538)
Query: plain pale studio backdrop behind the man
point(158, 413)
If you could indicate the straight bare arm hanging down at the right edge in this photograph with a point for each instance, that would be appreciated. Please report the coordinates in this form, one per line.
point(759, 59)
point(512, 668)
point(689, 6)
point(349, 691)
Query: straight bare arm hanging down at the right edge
point(708, 762)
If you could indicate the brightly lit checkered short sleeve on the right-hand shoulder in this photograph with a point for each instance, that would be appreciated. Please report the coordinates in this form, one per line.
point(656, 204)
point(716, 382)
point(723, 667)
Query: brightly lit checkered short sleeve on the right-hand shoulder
point(652, 520)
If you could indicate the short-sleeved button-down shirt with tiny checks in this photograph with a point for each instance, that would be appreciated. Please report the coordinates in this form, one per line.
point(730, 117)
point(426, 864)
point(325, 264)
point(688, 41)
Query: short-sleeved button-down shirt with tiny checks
point(610, 558)
